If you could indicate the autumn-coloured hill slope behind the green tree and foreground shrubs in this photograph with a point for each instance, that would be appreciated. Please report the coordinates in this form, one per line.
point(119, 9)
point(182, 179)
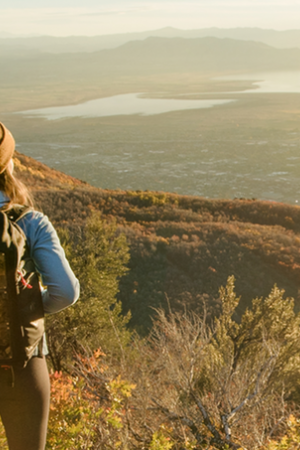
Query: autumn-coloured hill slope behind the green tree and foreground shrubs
point(182, 248)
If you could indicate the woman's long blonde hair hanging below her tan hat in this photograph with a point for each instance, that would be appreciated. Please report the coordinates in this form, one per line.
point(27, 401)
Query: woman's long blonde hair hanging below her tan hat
point(15, 190)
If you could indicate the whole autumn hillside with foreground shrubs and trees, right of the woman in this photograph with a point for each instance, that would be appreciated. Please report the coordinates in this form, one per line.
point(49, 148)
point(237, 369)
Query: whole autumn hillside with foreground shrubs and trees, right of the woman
point(210, 374)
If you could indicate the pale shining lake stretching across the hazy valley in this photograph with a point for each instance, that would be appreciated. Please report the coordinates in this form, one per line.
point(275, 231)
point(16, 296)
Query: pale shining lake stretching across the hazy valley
point(137, 103)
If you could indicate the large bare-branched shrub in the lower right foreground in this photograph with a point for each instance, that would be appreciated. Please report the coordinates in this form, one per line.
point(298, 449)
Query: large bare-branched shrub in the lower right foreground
point(226, 385)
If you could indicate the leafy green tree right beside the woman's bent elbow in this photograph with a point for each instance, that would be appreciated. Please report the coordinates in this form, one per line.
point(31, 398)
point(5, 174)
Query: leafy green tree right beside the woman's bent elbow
point(98, 256)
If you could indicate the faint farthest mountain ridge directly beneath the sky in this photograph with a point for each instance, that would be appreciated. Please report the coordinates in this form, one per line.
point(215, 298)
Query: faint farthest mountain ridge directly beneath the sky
point(75, 44)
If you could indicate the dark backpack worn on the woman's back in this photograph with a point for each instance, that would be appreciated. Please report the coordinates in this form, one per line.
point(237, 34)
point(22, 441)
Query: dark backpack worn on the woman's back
point(21, 308)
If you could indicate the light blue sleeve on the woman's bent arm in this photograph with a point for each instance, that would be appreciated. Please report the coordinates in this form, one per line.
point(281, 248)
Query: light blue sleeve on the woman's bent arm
point(62, 287)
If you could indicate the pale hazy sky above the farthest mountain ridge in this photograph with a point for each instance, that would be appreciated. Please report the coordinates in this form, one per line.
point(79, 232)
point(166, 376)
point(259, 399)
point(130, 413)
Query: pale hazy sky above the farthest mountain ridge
point(95, 17)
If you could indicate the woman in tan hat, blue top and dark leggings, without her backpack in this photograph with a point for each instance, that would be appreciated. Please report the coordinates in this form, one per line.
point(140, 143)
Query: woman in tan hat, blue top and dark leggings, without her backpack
point(24, 407)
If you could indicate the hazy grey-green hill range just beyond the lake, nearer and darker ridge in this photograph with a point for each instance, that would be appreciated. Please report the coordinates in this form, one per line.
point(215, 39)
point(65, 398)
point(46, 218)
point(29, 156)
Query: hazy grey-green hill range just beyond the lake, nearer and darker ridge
point(151, 56)
